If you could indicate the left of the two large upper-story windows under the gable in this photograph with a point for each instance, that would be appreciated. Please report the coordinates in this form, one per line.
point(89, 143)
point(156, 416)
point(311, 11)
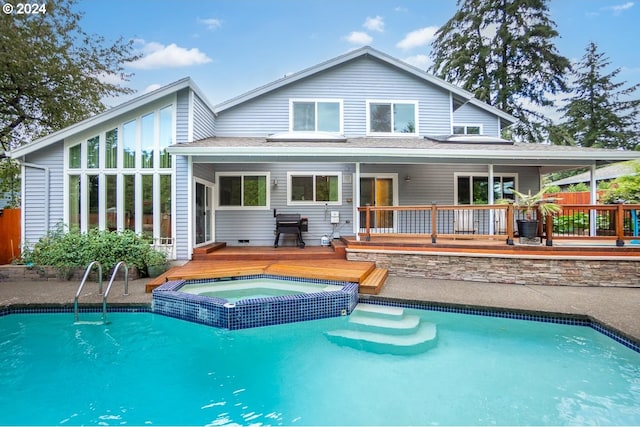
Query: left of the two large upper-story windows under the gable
point(322, 115)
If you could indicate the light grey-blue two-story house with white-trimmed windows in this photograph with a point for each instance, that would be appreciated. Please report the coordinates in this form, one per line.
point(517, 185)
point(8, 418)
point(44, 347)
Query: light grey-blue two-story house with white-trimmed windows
point(360, 129)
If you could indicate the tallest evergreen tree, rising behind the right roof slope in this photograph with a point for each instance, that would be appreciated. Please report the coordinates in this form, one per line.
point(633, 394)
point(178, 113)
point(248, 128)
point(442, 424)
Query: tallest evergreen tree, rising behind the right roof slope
point(502, 51)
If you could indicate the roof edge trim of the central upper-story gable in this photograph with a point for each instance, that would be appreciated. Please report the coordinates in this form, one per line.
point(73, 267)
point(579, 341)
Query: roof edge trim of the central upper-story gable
point(365, 51)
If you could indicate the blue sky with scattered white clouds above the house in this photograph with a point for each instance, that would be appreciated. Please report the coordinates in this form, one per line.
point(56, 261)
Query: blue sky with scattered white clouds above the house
point(232, 46)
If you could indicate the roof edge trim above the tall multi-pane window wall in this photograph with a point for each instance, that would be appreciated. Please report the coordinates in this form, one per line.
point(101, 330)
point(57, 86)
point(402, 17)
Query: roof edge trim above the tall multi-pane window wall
point(108, 115)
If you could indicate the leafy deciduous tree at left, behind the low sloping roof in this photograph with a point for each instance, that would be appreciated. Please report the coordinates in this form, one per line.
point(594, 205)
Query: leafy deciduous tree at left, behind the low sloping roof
point(52, 73)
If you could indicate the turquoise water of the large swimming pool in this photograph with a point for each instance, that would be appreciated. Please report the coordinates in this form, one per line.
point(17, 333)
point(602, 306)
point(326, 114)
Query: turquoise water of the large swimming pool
point(148, 369)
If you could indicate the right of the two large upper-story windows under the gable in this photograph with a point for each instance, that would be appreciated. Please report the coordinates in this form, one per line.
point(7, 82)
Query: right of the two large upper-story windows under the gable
point(388, 118)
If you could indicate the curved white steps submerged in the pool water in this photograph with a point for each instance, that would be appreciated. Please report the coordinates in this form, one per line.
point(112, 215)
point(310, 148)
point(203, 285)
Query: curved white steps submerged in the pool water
point(383, 329)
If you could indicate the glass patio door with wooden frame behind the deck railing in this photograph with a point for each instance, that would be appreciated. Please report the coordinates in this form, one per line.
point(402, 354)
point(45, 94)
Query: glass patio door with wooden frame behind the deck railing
point(377, 191)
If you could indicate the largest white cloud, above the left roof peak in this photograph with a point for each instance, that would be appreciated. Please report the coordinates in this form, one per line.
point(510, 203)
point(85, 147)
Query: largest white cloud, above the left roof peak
point(157, 55)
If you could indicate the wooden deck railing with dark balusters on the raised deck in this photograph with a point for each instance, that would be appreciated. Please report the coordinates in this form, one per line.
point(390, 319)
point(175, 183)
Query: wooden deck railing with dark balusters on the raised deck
point(618, 222)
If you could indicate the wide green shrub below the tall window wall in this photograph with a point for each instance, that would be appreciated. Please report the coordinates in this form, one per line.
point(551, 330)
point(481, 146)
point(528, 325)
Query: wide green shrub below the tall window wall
point(67, 249)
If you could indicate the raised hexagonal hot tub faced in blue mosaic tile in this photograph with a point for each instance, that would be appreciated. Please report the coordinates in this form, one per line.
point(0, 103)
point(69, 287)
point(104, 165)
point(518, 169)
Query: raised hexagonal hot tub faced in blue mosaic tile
point(253, 301)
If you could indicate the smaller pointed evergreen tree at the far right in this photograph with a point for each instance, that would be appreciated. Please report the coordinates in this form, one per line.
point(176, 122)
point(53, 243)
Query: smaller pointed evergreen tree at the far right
point(600, 113)
